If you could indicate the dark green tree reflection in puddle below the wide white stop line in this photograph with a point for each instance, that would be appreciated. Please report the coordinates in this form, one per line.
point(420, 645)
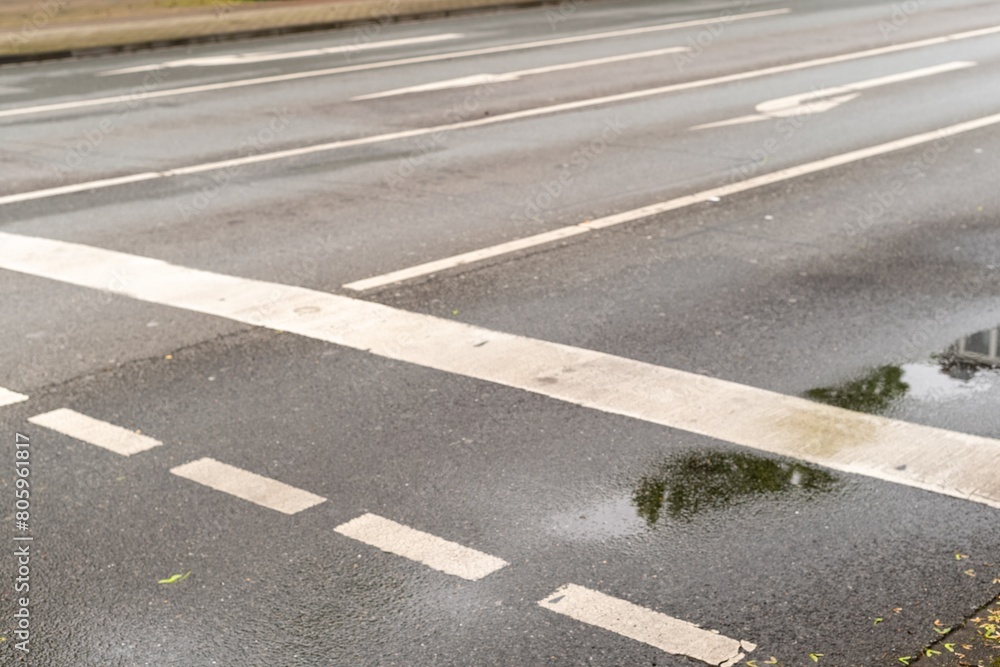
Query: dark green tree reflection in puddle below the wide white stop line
point(697, 481)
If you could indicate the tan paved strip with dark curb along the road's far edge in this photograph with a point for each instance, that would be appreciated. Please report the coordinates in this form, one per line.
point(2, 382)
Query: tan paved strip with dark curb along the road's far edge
point(30, 44)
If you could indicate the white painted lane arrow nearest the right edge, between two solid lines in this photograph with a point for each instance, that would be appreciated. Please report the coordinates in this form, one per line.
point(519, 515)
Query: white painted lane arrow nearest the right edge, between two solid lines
point(819, 101)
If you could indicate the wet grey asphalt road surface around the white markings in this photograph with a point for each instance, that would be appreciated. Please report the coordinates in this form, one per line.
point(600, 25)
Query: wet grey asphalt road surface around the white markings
point(851, 285)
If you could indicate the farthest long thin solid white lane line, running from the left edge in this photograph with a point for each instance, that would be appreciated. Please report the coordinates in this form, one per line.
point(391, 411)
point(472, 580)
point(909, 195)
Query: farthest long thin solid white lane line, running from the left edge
point(136, 97)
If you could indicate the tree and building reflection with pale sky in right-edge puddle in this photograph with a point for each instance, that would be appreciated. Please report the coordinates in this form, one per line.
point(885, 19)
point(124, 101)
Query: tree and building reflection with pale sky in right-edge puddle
point(966, 369)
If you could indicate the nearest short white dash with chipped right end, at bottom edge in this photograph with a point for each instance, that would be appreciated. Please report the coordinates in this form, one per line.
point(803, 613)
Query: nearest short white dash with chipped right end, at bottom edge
point(666, 633)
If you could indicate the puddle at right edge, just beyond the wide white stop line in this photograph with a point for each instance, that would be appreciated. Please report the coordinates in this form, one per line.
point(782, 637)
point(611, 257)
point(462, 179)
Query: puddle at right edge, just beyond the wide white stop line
point(957, 389)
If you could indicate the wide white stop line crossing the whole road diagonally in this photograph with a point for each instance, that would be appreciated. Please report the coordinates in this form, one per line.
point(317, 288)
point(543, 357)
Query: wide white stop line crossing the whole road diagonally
point(946, 462)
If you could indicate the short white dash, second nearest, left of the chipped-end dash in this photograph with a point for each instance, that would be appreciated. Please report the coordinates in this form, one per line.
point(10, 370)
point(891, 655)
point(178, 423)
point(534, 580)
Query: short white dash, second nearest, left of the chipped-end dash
point(432, 551)
